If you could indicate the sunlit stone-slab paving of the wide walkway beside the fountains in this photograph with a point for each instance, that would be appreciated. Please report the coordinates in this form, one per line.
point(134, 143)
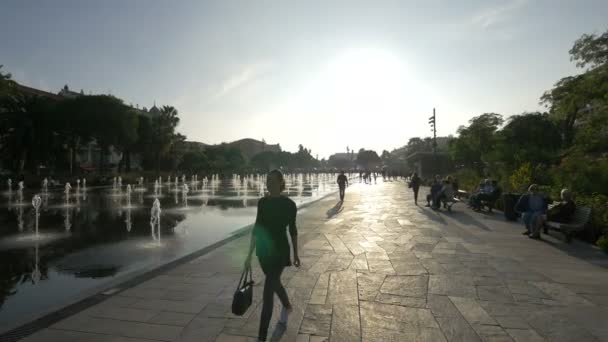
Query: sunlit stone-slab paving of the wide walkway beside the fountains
point(376, 269)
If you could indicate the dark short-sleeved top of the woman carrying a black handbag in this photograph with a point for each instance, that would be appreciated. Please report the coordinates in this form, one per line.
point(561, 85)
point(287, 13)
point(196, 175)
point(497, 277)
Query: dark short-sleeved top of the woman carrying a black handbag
point(274, 215)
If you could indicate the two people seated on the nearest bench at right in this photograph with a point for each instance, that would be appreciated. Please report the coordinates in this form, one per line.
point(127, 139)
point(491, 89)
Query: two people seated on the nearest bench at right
point(535, 210)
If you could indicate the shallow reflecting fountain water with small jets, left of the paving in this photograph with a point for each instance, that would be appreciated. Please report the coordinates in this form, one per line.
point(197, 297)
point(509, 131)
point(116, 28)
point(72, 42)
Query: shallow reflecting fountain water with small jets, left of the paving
point(88, 235)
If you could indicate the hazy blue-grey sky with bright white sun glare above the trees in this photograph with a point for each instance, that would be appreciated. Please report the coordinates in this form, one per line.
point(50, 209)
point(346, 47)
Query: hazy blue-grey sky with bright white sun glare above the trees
point(325, 74)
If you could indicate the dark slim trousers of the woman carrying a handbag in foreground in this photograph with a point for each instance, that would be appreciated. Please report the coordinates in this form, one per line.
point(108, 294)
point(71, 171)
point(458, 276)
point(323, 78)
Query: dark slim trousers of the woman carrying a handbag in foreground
point(272, 285)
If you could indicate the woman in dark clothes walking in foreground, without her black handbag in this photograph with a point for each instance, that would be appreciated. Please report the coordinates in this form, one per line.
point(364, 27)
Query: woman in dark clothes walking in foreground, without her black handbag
point(269, 239)
